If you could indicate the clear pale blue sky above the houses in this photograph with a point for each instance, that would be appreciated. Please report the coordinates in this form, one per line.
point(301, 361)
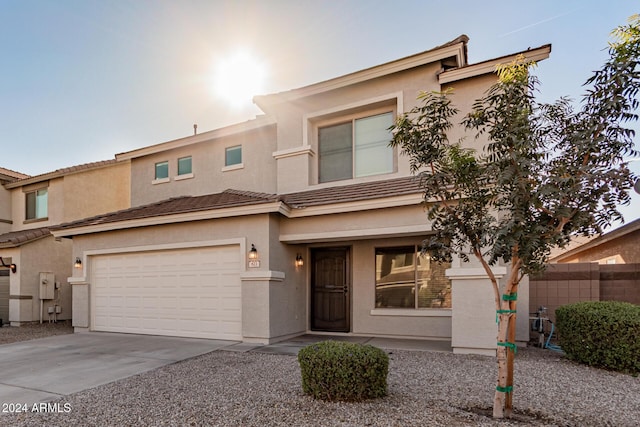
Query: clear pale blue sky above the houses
point(82, 80)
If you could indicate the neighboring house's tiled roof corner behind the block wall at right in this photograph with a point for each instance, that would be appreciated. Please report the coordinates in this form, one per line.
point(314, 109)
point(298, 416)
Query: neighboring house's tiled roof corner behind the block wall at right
point(620, 246)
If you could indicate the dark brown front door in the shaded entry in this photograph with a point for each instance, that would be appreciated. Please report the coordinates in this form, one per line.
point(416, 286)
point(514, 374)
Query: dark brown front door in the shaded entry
point(330, 286)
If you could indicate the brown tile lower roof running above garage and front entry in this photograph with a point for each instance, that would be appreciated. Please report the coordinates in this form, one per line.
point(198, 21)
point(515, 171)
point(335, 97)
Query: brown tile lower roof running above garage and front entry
point(235, 198)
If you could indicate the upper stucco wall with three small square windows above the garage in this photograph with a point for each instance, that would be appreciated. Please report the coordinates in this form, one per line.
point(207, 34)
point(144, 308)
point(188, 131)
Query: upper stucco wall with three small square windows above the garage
point(208, 164)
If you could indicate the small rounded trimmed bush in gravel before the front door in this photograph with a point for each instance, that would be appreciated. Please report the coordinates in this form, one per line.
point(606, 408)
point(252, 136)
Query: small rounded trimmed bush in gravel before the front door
point(343, 371)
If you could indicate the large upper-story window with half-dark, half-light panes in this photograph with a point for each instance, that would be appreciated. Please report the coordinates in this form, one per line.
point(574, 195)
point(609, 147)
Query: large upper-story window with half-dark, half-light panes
point(356, 148)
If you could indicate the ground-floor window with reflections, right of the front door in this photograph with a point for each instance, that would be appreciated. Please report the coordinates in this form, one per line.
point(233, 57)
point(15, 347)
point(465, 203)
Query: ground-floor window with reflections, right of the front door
point(407, 279)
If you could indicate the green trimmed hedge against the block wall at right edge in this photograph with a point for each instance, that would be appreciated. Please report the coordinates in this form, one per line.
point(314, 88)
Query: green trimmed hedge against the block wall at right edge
point(605, 334)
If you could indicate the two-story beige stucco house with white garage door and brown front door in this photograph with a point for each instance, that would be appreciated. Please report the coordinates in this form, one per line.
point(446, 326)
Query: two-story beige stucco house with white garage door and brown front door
point(301, 220)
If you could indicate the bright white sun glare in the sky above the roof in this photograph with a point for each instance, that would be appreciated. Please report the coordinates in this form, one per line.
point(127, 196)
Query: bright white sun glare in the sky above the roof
point(239, 77)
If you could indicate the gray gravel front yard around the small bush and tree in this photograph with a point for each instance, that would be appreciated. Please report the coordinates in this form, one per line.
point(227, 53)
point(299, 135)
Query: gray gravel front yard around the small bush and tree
point(425, 389)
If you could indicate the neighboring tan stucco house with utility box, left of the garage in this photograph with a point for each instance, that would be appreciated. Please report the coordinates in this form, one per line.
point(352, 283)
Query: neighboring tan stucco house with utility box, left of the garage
point(38, 289)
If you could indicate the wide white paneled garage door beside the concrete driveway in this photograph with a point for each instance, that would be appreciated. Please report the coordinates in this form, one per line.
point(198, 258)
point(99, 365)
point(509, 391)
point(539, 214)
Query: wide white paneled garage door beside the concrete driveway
point(186, 292)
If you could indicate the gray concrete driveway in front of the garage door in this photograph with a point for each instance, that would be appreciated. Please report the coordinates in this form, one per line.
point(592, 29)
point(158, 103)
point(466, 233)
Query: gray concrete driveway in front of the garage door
point(45, 369)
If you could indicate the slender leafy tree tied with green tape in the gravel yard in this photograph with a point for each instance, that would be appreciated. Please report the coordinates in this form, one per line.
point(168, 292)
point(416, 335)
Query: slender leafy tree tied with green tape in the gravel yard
point(546, 173)
